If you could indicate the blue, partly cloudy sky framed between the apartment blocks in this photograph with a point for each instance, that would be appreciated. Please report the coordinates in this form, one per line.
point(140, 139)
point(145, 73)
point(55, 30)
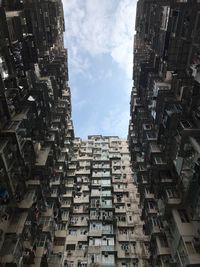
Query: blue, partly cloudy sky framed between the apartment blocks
point(99, 39)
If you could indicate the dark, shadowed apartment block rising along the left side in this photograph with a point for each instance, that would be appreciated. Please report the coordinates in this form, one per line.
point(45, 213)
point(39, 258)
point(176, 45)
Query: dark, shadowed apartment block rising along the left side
point(36, 133)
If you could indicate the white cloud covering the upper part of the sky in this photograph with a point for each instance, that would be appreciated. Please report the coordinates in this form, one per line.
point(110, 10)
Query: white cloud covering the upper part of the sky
point(99, 27)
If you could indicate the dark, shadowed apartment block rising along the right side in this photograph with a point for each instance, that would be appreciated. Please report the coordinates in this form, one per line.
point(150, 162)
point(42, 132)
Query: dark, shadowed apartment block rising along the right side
point(164, 133)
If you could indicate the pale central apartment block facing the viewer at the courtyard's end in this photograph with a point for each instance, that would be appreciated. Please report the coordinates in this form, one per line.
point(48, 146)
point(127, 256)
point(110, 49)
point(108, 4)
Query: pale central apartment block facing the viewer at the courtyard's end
point(105, 228)
